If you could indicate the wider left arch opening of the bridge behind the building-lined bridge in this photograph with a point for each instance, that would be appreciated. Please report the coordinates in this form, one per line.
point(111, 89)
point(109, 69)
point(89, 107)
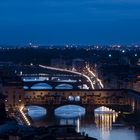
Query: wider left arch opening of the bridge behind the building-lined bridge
point(41, 86)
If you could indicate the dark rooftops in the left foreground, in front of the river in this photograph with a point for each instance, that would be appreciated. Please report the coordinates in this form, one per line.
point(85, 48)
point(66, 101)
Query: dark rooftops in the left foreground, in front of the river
point(11, 130)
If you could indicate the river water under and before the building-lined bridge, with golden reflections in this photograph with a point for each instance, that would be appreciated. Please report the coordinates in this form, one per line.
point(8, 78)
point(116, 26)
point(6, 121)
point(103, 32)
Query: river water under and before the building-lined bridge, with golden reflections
point(103, 124)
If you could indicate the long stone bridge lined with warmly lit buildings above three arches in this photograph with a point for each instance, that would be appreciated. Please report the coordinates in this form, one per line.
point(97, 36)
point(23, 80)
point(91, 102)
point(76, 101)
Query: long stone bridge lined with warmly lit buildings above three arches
point(118, 100)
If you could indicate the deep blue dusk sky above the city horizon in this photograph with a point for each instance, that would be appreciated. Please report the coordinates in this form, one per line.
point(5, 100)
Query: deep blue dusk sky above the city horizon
point(70, 21)
